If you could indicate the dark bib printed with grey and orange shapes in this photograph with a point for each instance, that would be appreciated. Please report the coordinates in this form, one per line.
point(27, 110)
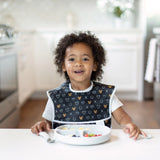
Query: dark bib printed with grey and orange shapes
point(82, 106)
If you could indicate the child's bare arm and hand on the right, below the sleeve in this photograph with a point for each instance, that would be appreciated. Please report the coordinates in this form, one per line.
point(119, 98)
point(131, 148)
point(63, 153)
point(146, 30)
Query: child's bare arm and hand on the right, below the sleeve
point(124, 120)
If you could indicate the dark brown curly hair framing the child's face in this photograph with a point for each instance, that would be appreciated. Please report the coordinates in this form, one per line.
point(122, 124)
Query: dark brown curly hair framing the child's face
point(88, 39)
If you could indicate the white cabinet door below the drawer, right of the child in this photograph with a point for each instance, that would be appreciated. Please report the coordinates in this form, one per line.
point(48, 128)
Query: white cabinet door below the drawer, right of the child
point(121, 69)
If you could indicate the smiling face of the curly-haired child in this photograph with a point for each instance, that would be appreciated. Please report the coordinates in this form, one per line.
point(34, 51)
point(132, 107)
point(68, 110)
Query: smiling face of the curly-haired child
point(79, 63)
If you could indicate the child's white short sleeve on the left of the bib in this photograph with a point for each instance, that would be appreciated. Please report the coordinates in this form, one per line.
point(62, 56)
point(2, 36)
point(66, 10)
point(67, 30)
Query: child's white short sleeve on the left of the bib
point(49, 110)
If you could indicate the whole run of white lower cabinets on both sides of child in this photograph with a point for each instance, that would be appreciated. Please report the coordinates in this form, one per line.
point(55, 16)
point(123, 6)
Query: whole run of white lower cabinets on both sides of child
point(124, 67)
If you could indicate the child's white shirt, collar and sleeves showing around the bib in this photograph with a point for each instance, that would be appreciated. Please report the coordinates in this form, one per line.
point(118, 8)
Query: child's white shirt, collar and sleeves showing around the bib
point(48, 113)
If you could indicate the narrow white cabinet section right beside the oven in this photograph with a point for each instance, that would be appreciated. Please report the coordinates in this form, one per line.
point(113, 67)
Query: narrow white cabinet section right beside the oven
point(26, 72)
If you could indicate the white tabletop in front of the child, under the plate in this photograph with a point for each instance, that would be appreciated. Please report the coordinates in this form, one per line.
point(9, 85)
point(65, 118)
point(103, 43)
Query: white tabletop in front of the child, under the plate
point(21, 144)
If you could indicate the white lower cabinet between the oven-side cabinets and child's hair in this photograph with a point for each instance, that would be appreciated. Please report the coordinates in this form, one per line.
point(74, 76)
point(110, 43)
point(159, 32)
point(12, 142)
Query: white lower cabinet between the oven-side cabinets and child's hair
point(46, 76)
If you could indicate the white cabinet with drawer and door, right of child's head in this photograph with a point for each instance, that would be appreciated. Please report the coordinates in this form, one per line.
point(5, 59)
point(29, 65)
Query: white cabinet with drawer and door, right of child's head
point(124, 62)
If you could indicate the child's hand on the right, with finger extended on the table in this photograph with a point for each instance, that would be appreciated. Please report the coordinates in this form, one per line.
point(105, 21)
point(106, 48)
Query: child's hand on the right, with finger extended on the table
point(133, 131)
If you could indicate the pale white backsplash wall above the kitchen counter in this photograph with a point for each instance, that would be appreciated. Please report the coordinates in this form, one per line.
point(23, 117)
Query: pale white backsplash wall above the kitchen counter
point(33, 14)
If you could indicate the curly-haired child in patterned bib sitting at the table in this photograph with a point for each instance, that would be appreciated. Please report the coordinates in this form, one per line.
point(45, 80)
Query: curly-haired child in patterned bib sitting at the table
point(82, 100)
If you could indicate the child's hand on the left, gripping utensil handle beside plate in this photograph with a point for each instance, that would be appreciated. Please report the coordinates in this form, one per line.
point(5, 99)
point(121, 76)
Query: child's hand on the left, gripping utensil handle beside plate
point(40, 126)
